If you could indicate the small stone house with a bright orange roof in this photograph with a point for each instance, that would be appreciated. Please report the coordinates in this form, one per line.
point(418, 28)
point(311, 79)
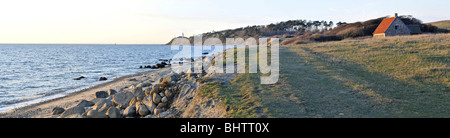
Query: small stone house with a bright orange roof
point(395, 26)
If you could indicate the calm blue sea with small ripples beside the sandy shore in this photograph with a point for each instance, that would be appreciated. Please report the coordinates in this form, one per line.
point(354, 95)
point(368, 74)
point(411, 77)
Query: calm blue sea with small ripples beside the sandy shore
point(30, 73)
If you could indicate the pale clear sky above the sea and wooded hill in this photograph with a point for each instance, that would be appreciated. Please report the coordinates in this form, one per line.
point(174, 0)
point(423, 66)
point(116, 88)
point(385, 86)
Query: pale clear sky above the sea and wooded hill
point(158, 21)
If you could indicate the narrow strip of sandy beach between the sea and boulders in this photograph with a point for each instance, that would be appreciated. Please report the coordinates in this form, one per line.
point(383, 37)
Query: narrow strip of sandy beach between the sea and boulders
point(44, 109)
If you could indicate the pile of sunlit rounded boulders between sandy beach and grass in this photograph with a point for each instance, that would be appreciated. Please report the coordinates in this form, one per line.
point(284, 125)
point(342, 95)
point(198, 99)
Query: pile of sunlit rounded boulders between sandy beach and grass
point(141, 100)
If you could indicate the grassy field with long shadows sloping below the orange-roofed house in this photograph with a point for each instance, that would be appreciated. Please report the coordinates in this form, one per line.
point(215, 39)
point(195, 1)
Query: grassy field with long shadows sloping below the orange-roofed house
point(402, 76)
